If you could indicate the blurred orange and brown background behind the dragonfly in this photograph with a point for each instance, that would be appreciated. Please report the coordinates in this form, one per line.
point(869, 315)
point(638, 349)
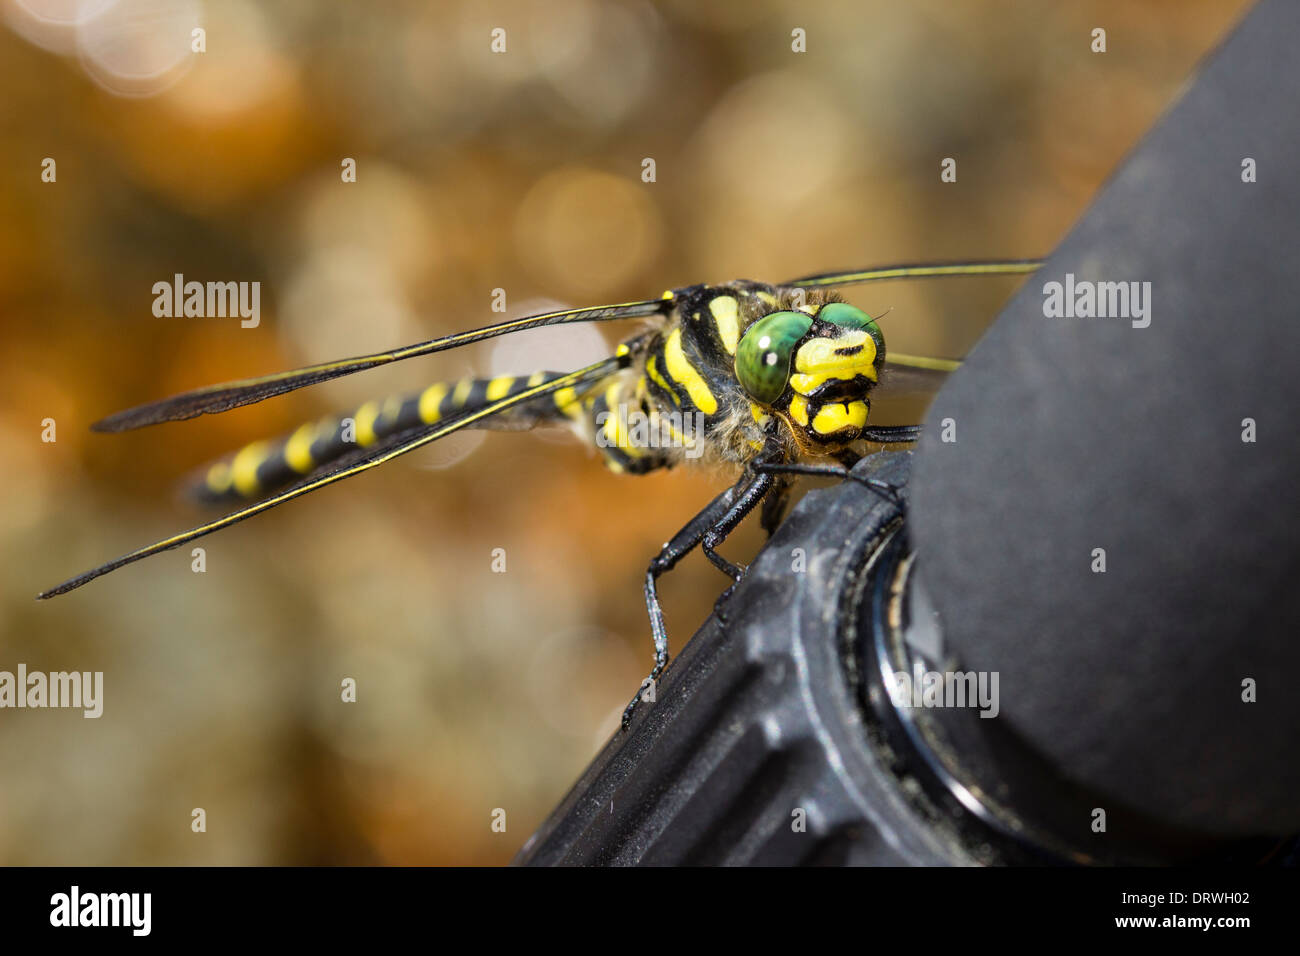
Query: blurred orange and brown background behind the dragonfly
point(476, 171)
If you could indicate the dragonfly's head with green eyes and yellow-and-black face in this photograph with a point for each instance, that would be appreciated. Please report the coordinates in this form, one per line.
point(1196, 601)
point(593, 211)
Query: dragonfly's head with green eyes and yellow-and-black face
point(816, 367)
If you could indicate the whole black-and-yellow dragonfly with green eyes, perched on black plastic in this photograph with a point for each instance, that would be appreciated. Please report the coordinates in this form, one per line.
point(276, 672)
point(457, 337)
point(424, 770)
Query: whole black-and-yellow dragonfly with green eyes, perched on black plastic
point(774, 380)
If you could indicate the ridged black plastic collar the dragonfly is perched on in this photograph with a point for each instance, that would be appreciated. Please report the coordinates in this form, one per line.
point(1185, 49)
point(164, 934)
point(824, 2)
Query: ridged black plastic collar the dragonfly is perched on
point(755, 750)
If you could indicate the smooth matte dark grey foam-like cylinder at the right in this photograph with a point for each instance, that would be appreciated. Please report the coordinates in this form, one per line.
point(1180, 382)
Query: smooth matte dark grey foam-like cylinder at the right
point(1090, 439)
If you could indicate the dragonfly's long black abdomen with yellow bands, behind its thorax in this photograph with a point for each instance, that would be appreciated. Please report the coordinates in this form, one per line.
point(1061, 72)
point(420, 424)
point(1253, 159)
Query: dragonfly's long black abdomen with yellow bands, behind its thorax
point(267, 466)
